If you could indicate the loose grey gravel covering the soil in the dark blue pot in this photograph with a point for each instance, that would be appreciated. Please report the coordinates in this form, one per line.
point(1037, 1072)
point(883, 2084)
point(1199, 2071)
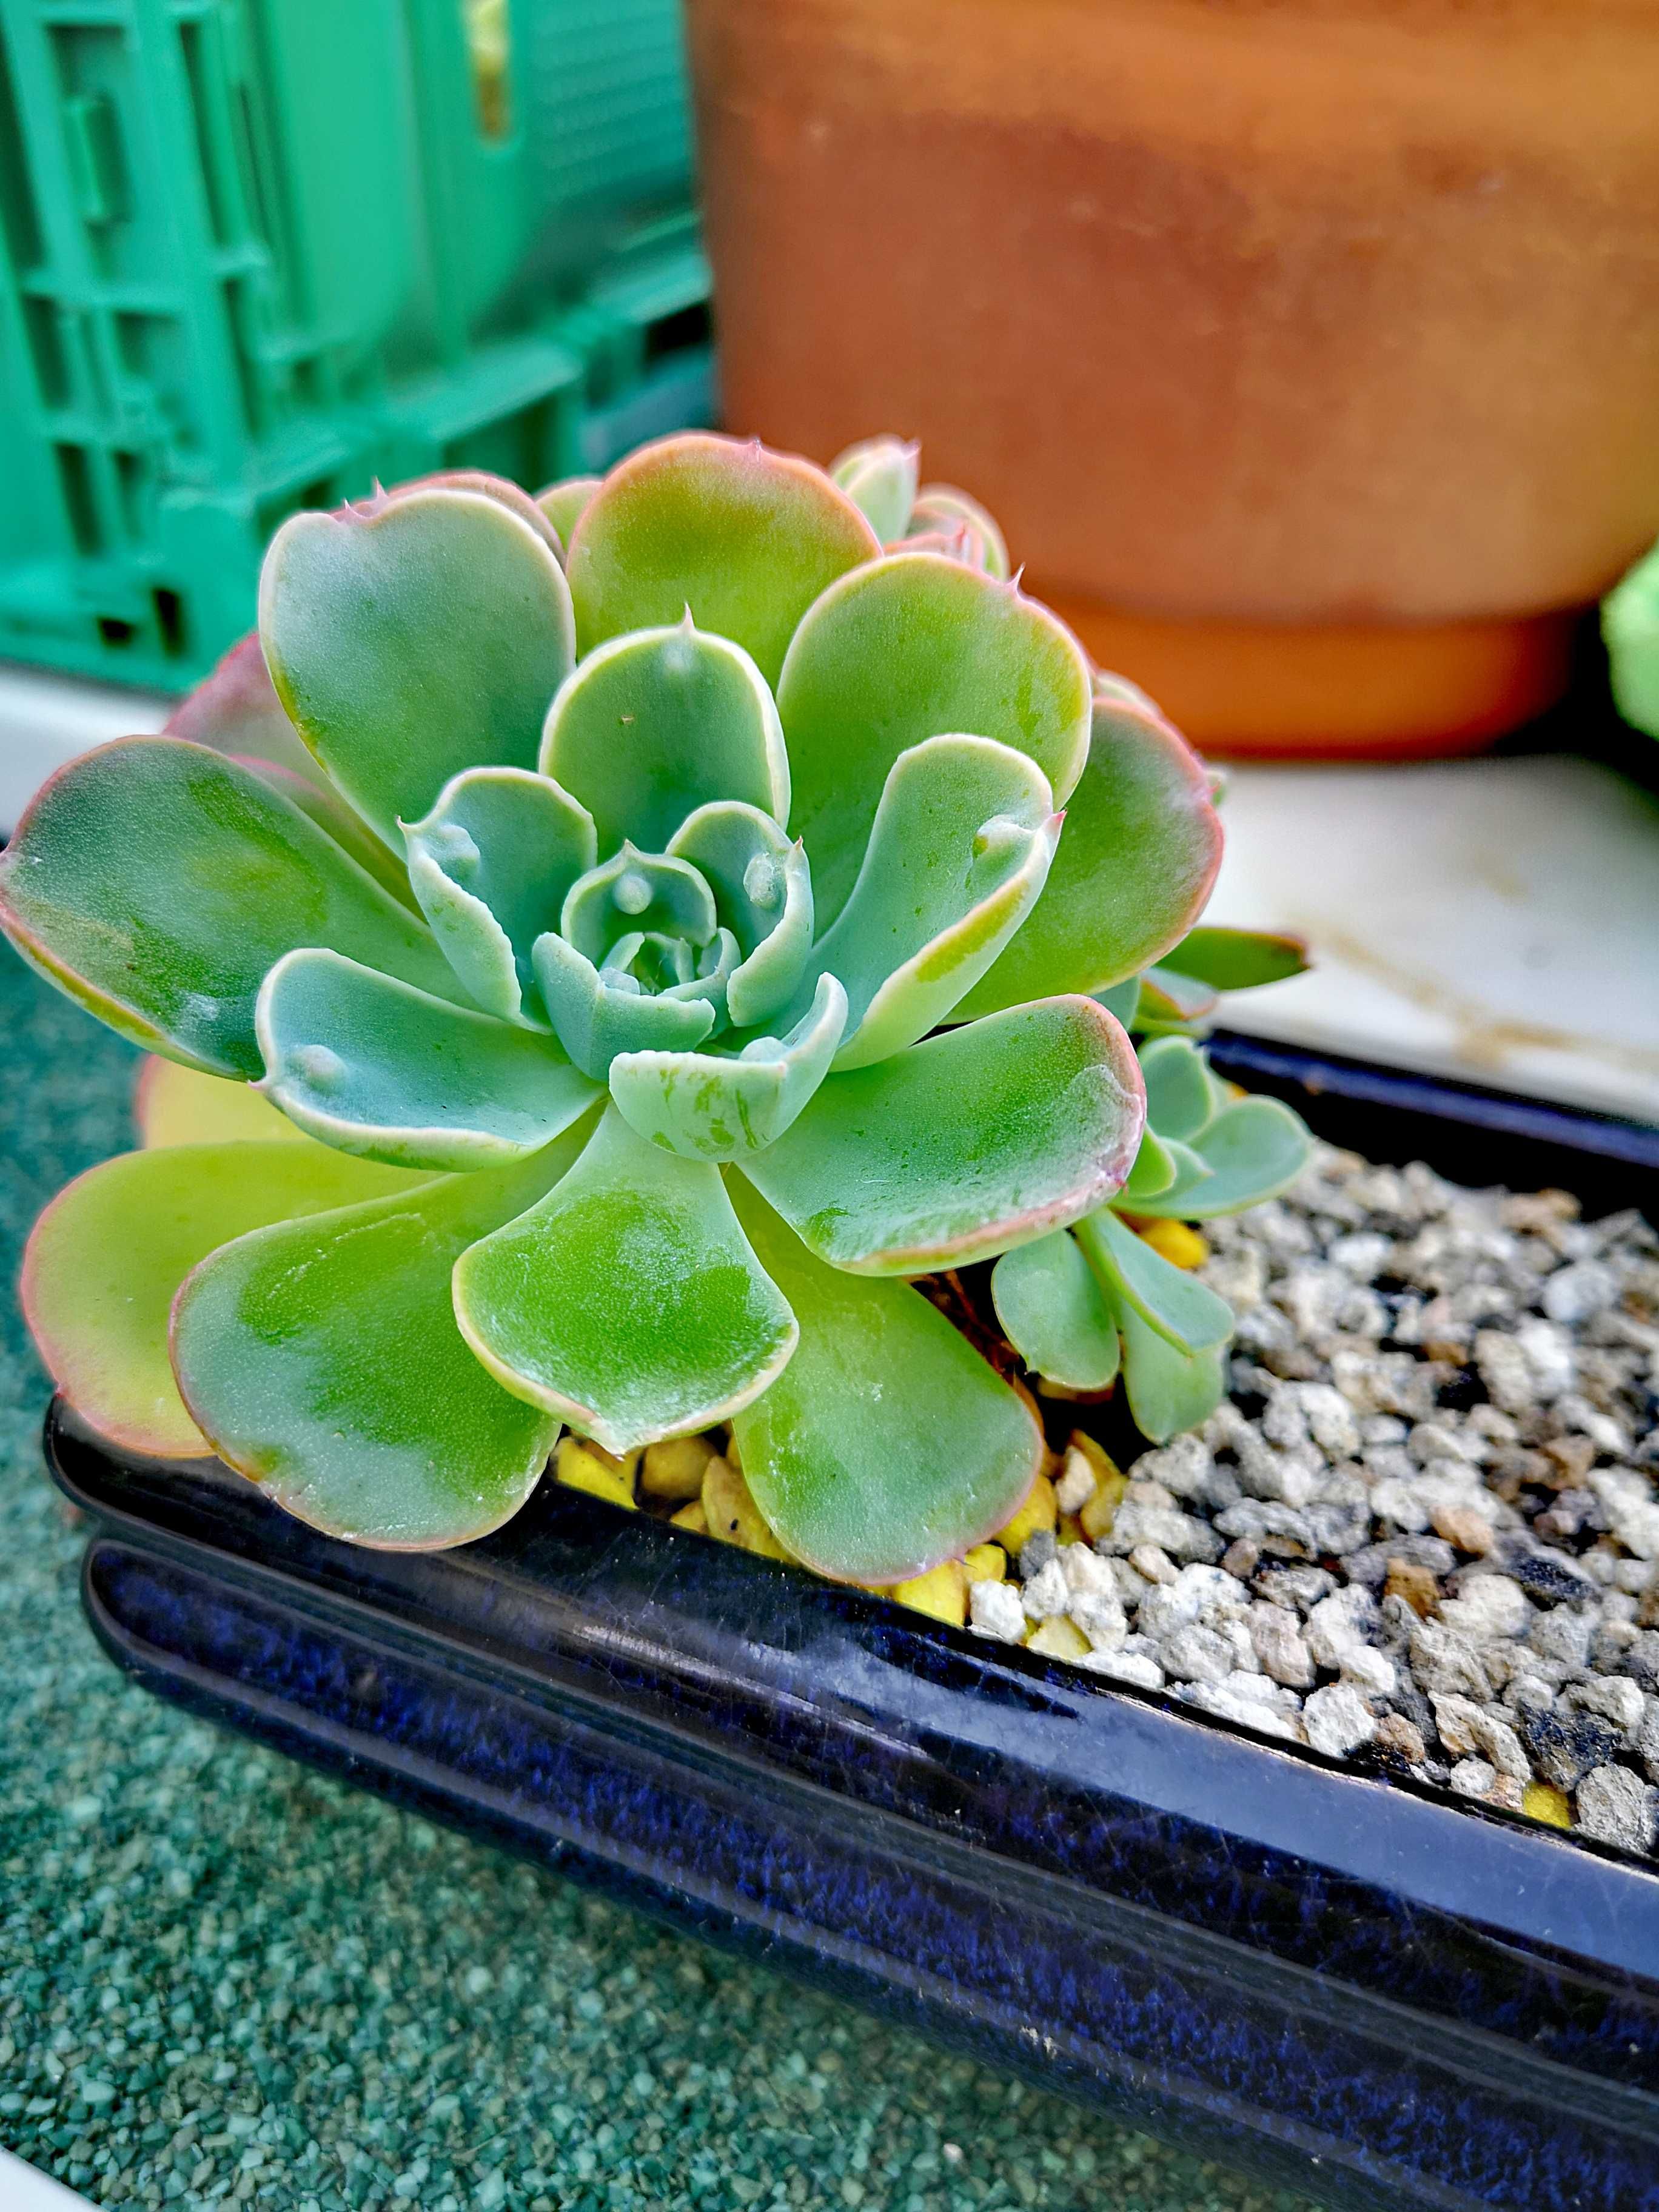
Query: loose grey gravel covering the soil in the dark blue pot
point(1426, 1530)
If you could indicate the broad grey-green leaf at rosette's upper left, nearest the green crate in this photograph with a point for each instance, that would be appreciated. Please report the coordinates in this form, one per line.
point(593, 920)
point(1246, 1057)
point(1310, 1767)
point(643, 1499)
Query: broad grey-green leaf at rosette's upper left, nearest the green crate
point(410, 638)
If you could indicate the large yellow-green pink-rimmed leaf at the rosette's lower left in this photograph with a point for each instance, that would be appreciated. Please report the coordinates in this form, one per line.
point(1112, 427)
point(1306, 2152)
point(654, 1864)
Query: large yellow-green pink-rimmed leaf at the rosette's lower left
point(109, 1253)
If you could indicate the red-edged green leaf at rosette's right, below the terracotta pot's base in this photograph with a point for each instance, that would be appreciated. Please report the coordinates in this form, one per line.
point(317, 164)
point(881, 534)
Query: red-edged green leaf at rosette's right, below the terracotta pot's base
point(1136, 864)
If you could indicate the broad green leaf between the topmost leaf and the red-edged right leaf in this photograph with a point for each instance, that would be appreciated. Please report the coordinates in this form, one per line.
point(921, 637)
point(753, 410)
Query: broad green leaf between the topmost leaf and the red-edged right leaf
point(899, 651)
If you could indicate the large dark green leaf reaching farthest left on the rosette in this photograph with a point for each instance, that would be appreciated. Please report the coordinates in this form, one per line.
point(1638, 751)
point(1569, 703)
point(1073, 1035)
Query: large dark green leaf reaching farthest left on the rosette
point(158, 884)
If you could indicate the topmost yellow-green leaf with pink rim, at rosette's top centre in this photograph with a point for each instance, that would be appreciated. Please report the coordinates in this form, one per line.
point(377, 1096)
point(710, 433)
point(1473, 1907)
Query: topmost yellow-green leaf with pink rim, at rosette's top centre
point(740, 536)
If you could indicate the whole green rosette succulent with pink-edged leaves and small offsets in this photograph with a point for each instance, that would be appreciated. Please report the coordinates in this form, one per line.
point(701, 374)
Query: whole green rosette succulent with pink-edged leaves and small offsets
point(687, 921)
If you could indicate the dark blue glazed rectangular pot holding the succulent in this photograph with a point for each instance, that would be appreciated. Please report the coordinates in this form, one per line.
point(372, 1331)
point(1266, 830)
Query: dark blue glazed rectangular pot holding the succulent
point(1355, 1987)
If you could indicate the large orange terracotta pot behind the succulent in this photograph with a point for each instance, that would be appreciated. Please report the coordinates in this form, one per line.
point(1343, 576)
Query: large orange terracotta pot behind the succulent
point(1306, 348)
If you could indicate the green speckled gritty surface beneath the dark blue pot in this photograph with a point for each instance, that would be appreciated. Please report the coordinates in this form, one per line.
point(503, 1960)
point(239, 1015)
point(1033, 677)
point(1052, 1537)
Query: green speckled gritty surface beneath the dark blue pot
point(227, 1981)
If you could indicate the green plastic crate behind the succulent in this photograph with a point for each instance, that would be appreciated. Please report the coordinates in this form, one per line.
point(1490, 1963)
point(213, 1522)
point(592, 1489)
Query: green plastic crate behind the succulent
point(260, 253)
